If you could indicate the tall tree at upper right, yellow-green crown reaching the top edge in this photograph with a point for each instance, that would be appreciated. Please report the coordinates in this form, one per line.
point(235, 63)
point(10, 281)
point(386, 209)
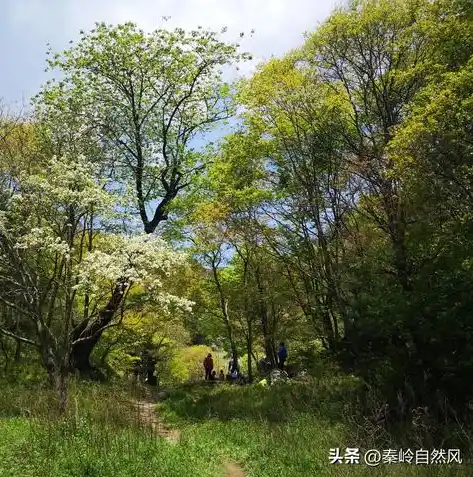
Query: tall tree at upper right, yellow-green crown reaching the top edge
point(377, 56)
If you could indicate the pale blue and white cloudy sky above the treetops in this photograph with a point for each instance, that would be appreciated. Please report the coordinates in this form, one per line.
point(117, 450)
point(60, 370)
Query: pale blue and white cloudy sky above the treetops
point(27, 25)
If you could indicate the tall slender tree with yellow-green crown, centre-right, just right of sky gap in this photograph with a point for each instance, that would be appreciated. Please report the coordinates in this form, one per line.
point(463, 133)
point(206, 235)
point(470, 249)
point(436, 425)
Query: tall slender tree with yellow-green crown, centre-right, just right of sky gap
point(290, 104)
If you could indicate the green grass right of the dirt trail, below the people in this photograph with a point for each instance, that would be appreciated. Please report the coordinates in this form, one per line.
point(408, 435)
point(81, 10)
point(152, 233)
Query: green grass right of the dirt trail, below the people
point(285, 430)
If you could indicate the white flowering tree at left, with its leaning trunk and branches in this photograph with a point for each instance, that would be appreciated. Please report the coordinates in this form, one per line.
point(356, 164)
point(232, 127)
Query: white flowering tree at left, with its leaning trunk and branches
point(59, 269)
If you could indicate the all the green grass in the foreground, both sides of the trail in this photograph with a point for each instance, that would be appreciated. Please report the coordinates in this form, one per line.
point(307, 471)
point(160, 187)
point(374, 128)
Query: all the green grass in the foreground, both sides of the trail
point(284, 430)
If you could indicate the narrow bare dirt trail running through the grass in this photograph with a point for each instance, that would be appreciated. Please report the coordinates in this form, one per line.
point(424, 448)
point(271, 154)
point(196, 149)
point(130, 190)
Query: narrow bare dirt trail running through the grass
point(148, 417)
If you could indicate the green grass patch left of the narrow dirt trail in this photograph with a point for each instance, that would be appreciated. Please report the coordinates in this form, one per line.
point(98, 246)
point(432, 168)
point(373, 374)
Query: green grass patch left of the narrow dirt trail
point(101, 435)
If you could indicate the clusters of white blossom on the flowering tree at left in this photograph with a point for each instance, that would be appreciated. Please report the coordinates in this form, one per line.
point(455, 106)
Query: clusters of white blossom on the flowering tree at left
point(54, 200)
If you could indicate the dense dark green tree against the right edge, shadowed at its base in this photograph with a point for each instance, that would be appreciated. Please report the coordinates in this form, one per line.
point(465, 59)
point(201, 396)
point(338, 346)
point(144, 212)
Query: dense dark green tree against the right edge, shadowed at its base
point(432, 152)
